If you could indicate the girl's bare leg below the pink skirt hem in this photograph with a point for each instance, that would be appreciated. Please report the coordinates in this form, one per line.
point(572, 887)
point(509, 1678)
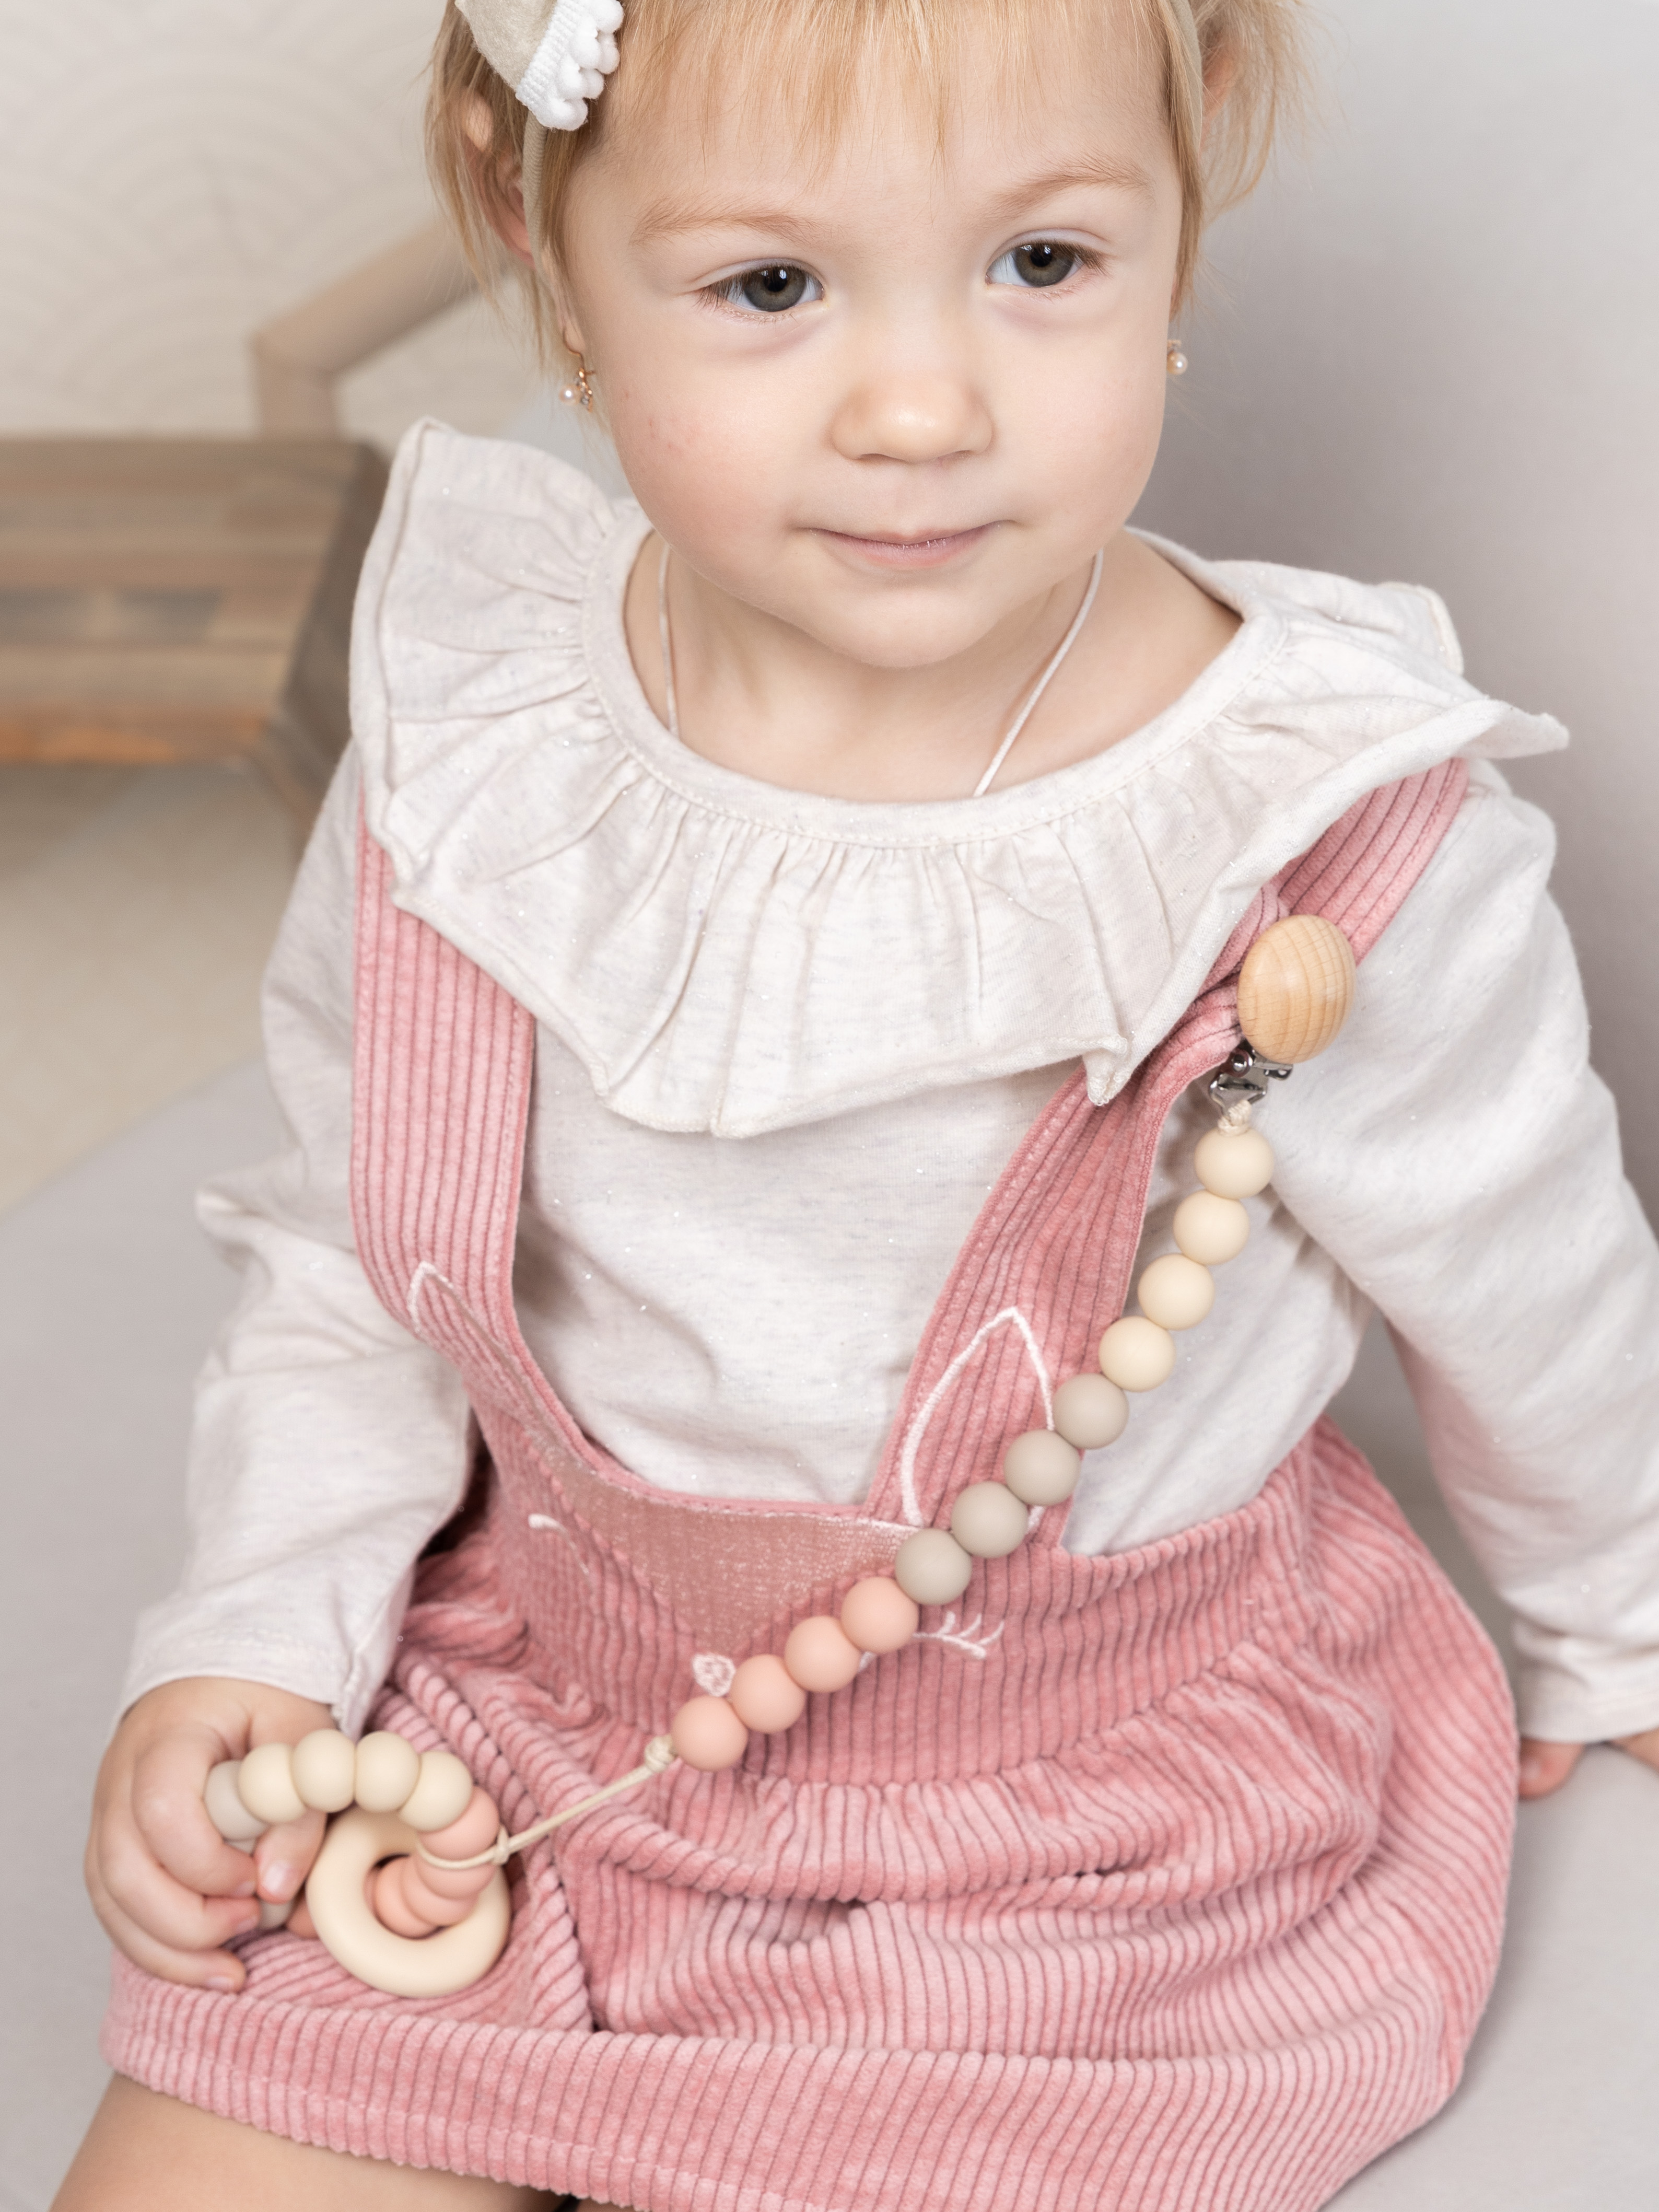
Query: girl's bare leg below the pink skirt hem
point(149, 2153)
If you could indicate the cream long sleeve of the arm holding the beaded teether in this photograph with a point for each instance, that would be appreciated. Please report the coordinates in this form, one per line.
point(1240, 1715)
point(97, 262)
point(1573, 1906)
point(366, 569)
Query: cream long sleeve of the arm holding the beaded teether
point(328, 1443)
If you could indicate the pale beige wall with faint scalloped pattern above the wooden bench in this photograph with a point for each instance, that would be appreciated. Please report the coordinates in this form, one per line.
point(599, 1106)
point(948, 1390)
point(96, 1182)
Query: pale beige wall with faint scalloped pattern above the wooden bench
point(178, 171)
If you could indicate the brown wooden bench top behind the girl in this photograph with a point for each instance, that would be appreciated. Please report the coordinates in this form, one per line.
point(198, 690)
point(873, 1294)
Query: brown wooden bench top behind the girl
point(182, 601)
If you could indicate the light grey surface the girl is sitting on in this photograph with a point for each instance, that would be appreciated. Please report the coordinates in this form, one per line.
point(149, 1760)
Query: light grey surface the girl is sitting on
point(107, 1302)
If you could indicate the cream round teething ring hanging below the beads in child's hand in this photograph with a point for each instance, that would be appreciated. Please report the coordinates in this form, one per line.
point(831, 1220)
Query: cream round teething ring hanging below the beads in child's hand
point(404, 1965)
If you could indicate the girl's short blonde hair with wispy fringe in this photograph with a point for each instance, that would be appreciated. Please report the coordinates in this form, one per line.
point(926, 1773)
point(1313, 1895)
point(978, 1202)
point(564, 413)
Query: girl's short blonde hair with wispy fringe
point(1233, 72)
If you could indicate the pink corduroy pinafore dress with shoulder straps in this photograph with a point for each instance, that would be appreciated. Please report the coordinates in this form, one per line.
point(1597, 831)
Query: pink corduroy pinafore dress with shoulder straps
point(1167, 1881)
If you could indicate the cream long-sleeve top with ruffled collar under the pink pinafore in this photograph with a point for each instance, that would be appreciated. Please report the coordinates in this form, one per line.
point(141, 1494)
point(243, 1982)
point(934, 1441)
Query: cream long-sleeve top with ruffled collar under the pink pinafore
point(786, 1047)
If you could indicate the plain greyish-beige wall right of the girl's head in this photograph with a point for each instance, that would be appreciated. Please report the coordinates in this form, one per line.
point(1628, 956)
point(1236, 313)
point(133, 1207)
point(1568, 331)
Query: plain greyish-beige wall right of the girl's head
point(1432, 351)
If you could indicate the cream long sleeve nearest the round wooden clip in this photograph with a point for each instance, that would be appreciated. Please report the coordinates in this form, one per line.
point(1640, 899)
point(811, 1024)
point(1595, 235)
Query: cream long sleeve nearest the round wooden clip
point(1477, 1198)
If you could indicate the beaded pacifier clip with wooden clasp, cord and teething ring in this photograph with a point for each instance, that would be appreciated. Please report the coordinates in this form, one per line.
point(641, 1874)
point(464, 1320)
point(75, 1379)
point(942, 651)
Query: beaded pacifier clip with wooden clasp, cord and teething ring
point(408, 1890)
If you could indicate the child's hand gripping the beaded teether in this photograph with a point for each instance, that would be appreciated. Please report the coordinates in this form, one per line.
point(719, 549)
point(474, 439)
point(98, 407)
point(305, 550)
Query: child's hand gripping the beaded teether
point(165, 1884)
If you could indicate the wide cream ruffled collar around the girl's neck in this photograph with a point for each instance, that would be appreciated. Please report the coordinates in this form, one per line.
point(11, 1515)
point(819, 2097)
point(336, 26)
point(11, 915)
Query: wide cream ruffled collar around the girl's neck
point(731, 957)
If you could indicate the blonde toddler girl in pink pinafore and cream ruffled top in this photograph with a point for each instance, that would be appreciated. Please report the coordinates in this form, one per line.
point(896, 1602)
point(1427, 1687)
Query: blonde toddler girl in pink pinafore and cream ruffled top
point(744, 1027)
